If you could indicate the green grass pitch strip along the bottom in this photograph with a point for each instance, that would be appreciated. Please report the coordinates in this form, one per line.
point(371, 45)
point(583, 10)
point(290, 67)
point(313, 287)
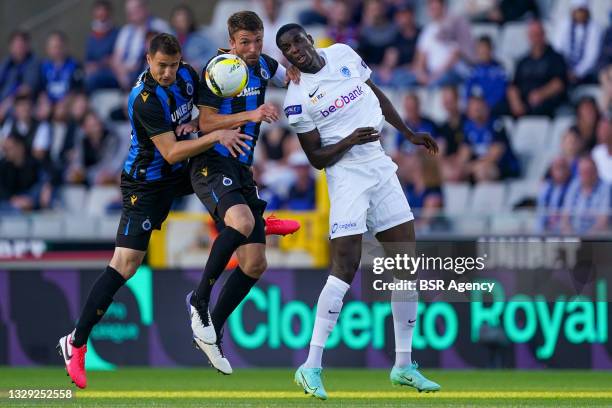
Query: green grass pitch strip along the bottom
point(147, 387)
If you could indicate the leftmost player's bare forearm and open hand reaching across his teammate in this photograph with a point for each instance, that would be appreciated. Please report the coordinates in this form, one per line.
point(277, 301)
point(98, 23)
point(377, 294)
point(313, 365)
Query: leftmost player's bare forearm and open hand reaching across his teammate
point(175, 151)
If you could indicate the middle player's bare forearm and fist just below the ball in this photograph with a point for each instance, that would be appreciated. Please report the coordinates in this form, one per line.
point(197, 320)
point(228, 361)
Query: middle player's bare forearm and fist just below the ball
point(211, 120)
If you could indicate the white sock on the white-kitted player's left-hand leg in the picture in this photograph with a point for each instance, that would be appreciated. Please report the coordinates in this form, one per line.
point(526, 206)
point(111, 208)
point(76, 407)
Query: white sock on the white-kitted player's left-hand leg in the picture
point(329, 306)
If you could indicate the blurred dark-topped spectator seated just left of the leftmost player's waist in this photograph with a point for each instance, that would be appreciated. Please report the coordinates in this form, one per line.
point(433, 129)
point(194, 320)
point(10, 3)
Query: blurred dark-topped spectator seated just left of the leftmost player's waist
point(97, 159)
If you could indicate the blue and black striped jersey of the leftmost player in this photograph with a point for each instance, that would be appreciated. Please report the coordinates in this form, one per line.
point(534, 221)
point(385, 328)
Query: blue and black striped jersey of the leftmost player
point(153, 110)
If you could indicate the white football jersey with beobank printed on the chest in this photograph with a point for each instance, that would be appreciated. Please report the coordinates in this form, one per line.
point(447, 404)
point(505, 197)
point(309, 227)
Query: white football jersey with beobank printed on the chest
point(336, 100)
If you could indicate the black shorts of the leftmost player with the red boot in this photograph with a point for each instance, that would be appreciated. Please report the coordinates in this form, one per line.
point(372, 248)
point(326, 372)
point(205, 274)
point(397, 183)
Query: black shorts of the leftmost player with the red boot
point(146, 205)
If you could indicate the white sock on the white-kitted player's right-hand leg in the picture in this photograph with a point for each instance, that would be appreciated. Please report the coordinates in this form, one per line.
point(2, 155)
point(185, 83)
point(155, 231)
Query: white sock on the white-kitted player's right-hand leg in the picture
point(404, 304)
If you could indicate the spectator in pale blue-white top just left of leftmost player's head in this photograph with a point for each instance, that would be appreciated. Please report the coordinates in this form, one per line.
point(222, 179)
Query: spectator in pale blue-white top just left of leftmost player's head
point(130, 45)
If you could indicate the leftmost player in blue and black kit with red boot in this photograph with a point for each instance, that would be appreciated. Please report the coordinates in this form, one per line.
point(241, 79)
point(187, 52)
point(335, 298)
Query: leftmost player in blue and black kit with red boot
point(154, 174)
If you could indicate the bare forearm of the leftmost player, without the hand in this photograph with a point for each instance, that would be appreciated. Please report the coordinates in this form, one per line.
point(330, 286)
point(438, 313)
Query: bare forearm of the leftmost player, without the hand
point(175, 151)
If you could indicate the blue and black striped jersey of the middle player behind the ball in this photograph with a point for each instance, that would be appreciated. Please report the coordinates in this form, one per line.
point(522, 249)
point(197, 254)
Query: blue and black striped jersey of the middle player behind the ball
point(251, 97)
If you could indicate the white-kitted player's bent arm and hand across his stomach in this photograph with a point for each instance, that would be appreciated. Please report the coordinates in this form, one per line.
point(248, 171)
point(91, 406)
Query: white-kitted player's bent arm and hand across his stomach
point(324, 156)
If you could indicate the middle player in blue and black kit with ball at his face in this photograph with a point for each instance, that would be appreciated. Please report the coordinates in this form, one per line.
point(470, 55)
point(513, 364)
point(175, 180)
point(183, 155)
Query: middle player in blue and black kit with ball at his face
point(225, 185)
